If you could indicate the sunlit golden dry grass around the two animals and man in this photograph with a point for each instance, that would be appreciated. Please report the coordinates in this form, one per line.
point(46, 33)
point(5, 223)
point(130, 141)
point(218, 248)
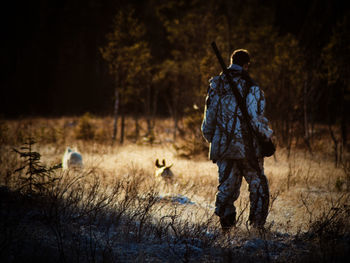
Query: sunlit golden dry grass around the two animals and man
point(304, 188)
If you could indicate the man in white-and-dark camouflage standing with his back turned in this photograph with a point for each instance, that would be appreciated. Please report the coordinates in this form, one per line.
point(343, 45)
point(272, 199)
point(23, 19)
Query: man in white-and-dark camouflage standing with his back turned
point(236, 152)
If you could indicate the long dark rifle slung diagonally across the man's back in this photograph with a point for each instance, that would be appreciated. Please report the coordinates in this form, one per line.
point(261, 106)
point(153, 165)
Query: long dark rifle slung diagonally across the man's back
point(268, 148)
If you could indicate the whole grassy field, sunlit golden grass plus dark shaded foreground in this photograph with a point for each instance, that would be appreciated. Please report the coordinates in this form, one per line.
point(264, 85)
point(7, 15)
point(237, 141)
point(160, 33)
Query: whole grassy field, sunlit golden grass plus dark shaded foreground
point(115, 210)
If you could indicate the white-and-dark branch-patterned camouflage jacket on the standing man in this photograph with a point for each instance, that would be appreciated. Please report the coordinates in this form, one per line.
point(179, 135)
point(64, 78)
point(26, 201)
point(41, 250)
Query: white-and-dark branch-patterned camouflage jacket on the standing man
point(223, 126)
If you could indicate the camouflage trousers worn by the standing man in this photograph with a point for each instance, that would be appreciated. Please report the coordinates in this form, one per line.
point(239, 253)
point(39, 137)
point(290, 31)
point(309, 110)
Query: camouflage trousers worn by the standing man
point(230, 180)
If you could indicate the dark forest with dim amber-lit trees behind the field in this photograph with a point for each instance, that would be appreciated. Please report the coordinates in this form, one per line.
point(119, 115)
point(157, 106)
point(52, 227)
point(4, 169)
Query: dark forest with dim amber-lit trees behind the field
point(69, 57)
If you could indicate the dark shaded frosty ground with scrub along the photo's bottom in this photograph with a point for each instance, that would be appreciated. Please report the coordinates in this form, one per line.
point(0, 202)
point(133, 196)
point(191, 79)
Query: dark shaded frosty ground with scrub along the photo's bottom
point(35, 231)
